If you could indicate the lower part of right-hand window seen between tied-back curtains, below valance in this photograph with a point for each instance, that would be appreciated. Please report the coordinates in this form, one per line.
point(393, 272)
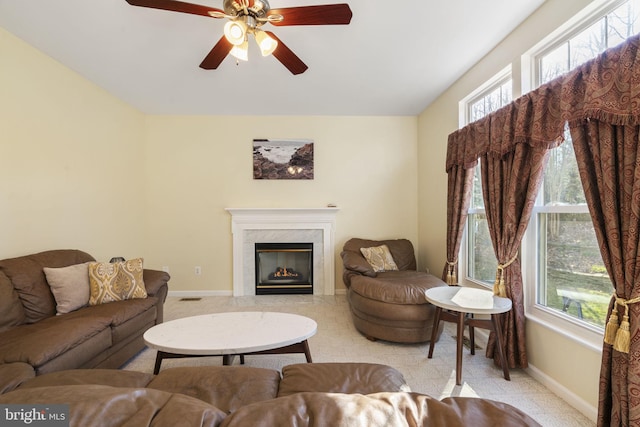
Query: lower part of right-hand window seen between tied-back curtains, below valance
point(571, 278)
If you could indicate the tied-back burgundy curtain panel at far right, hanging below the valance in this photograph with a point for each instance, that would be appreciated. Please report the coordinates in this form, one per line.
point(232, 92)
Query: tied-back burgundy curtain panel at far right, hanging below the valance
point(609, 161)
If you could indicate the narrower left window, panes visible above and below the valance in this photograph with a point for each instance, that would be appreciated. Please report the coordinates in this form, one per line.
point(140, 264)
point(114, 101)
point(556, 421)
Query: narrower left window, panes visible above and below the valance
point(480, 259)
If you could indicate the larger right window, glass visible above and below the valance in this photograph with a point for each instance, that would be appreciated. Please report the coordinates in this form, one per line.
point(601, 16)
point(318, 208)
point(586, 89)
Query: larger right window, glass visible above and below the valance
point(571, 280)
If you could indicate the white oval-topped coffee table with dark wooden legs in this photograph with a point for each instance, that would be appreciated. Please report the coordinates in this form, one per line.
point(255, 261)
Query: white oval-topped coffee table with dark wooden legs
point(230, 334)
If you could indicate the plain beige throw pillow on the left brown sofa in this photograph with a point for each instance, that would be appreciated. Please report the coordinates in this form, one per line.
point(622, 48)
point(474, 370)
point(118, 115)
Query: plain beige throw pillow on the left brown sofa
point(69, 286)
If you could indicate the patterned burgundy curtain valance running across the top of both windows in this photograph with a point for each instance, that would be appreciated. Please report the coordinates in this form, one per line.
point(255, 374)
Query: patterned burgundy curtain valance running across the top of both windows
point(606, 88)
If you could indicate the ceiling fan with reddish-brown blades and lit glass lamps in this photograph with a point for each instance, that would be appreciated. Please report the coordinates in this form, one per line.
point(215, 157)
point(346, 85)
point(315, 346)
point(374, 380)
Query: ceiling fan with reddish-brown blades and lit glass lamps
point(247, 17)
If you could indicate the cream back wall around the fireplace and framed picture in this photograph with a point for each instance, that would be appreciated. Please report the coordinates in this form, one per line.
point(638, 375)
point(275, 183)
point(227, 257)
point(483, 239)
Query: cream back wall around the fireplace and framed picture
point(199, 165)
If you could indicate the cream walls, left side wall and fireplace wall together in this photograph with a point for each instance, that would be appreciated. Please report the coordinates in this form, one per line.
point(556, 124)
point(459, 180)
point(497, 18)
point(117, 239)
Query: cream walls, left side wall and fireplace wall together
point(80, 169)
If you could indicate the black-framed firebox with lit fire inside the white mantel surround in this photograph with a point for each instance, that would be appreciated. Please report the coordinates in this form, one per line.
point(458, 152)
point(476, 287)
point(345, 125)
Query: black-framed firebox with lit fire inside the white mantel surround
point(284, 268)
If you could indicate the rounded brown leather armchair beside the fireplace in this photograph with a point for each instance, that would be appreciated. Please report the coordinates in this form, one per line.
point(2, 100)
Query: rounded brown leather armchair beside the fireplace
point(389, 305)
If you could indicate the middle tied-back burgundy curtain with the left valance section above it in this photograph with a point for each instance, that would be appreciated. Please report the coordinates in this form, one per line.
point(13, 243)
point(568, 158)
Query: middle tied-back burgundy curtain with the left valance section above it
point(512, 149)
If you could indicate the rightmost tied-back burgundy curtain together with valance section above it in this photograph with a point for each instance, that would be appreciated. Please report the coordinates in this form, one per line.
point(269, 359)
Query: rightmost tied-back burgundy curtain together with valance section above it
point(606, 141)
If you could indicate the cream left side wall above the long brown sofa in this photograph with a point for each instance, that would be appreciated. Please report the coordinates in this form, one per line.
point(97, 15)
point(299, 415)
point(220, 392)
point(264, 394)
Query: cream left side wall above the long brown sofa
point(71, 160)
